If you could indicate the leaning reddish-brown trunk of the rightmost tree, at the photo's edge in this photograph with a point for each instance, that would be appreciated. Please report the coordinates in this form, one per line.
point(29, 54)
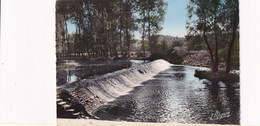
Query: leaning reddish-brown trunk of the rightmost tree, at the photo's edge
point(231, 46)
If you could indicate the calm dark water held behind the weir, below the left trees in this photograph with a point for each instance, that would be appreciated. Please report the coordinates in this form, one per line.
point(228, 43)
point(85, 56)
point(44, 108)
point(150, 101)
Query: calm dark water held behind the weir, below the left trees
point(90, 69)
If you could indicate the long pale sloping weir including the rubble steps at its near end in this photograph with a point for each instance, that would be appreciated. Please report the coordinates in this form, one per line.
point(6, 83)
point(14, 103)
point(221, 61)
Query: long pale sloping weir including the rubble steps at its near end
point(89, 94)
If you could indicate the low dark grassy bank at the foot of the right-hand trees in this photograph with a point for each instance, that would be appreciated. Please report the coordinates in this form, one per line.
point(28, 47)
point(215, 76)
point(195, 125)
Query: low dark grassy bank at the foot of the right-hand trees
point(217, 76)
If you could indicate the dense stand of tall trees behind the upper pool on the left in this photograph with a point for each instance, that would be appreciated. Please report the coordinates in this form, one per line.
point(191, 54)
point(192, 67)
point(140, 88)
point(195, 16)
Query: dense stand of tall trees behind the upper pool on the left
point(105, 28)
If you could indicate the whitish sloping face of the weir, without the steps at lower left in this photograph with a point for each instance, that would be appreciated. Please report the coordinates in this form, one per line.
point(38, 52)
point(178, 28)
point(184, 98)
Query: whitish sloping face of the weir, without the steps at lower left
point(108, 87)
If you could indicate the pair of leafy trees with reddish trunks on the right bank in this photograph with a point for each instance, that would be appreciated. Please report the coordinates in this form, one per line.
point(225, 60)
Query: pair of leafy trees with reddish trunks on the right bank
point(215, 18)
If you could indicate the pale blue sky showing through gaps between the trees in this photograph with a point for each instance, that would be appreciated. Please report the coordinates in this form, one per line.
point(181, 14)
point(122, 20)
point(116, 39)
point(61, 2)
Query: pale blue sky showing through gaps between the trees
point(175, 19)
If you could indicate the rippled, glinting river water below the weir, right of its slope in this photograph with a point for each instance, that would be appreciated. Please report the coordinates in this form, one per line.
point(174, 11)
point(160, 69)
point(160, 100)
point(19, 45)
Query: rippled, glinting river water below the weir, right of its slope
point(176, 96)
